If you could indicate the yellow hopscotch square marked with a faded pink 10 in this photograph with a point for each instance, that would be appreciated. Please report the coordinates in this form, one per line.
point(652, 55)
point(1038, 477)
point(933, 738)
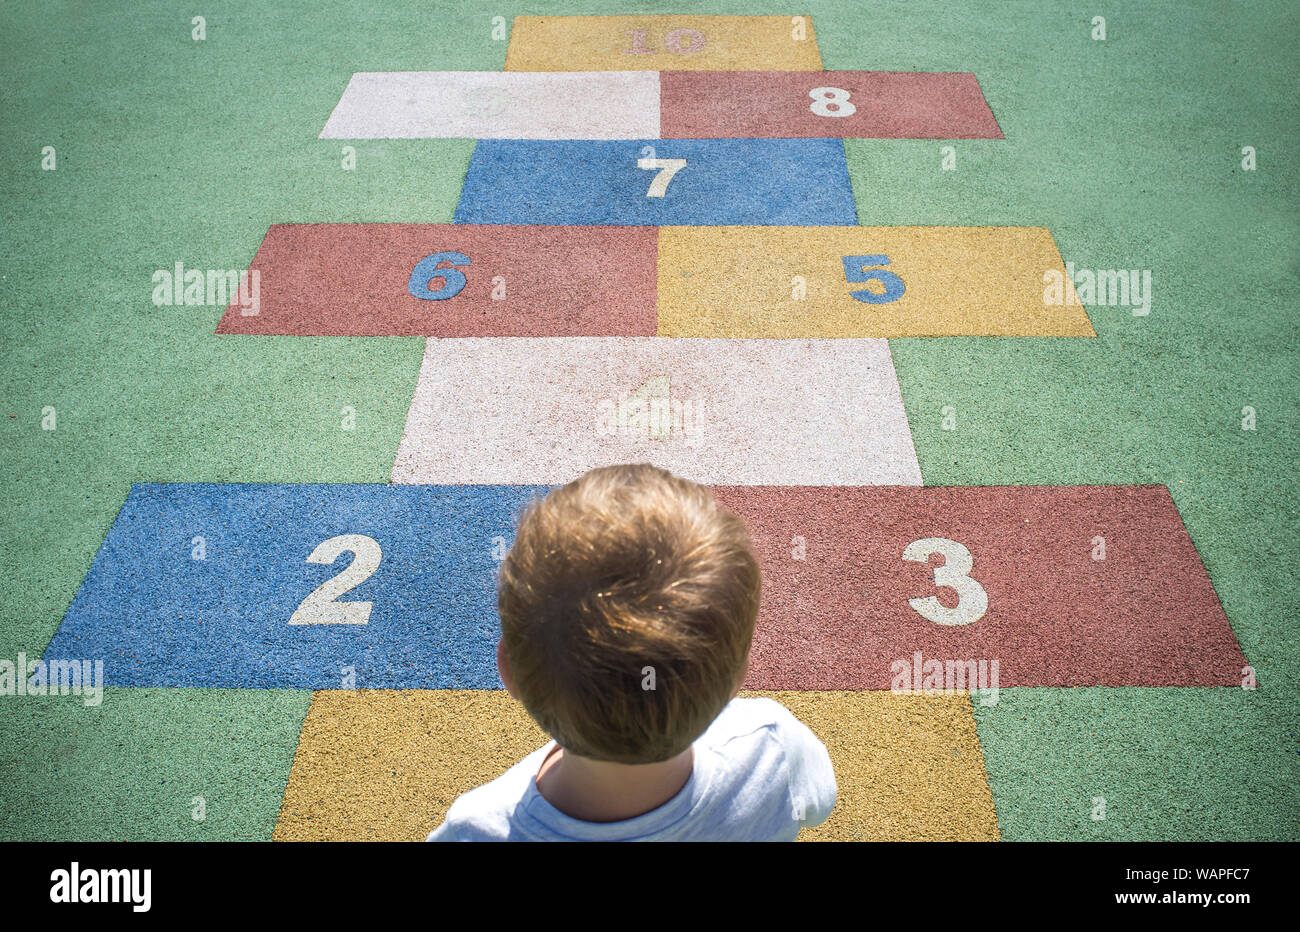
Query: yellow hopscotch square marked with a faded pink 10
point(662, 44)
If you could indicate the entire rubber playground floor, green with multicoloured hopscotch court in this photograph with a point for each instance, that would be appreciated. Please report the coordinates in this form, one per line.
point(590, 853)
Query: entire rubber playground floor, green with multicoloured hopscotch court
point(982, 323)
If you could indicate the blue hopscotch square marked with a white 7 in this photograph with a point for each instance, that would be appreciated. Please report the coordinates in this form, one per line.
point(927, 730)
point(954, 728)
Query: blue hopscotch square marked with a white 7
point(743, 183)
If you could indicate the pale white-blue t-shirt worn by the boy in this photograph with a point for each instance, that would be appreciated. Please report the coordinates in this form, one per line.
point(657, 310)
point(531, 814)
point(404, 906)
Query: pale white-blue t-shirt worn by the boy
point(760, 775)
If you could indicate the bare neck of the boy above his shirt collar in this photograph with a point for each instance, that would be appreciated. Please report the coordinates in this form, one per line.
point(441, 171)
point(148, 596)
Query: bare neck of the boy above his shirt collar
point(600, 791)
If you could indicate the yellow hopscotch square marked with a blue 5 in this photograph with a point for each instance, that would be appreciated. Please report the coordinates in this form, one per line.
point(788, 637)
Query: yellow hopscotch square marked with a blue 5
point(792, 283)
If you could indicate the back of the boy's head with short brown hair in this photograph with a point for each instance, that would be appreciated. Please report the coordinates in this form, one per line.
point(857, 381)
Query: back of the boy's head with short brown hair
point(627, 606)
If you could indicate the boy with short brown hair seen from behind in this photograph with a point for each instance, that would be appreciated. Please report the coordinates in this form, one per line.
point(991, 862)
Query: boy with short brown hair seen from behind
point(627, 609)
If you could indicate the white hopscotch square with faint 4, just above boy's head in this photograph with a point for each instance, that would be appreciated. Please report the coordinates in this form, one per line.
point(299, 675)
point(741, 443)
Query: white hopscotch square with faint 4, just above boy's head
point(543, 411)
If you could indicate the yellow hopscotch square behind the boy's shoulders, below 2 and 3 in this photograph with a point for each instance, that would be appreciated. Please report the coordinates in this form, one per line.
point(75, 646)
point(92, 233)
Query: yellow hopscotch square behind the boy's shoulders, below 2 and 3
point(387, 765)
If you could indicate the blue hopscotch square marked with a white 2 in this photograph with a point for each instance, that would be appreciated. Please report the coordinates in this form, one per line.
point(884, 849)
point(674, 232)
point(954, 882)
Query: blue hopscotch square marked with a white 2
point(159, 617)
